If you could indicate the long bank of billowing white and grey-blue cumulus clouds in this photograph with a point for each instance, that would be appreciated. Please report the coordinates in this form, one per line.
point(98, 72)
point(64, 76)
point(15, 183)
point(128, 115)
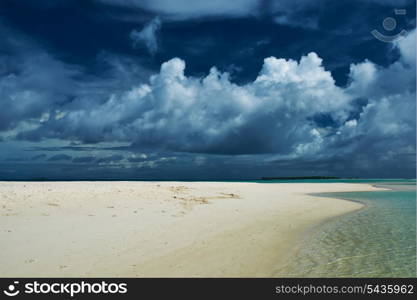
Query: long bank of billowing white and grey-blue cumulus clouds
point(291, 108)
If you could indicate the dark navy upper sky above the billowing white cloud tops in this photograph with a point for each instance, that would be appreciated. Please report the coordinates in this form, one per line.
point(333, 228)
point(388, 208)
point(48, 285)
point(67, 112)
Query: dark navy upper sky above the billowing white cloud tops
point(342, 38)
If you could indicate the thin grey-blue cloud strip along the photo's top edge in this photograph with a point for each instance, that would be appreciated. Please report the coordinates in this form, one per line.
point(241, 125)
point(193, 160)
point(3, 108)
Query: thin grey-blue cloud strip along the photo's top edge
point(304, 13)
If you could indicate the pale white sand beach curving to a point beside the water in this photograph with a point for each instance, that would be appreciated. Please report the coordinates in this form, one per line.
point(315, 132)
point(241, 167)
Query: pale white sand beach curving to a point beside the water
point(162, 229)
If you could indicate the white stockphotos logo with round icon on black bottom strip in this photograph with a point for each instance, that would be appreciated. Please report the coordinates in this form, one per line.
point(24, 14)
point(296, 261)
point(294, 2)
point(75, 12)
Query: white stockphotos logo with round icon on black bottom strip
point(72, 289)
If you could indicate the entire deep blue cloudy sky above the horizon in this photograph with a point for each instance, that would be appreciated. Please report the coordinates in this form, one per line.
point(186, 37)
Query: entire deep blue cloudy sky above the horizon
point(207, 90)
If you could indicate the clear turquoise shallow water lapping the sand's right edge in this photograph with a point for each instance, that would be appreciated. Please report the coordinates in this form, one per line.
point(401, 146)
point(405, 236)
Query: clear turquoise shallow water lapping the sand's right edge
point(377, 241)
